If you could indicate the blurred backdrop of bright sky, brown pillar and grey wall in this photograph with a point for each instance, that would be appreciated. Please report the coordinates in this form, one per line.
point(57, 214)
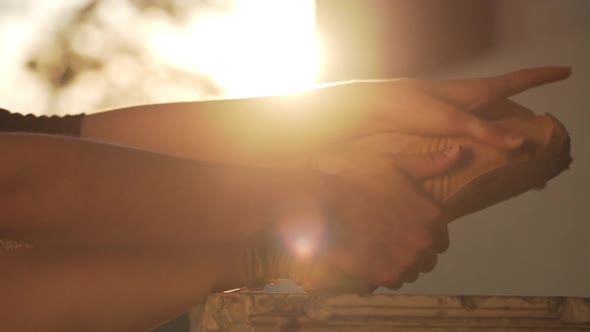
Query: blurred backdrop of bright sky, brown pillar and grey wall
point(75, 56)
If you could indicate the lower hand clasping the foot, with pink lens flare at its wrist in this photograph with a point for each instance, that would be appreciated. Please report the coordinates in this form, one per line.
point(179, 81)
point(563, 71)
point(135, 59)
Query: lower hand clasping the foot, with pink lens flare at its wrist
point(383, 230)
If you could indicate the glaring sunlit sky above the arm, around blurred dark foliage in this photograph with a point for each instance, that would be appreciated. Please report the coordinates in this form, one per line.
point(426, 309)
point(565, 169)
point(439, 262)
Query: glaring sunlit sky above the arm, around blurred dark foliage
point(258, 47)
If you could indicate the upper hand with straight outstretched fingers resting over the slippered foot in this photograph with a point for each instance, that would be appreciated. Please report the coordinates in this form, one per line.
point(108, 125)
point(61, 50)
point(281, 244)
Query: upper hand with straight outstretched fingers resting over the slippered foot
point(422, 107)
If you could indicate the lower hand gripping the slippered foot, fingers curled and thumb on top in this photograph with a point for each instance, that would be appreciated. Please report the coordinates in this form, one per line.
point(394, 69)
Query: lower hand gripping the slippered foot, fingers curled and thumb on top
point(389, 229)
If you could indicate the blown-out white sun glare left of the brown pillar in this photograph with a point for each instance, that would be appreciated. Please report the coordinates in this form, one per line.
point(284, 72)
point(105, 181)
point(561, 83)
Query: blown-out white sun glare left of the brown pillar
point(261, 47)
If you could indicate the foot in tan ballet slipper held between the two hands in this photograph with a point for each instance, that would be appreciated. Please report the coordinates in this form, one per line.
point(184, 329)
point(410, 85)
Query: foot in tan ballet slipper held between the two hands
point(486, 175)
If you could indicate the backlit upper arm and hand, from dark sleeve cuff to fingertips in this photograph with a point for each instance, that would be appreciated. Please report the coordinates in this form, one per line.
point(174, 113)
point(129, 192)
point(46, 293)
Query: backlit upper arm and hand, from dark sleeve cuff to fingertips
point(259, 130)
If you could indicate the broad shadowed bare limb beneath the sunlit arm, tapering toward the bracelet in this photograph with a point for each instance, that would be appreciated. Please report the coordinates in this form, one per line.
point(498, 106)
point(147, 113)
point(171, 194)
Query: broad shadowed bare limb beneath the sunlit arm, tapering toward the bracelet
point(122, 239)
